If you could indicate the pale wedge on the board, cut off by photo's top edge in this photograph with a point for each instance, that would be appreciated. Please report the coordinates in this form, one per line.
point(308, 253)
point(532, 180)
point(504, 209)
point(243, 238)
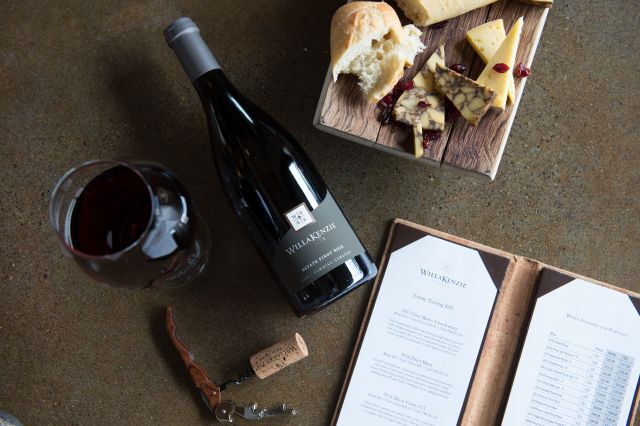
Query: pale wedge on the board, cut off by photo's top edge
point(428, 12)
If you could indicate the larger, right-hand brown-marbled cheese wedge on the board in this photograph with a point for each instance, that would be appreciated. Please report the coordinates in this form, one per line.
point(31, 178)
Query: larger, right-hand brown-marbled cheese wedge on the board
point(471, 99)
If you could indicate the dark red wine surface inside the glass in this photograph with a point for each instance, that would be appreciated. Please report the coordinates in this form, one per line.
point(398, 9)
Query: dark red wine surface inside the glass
point(111, 213)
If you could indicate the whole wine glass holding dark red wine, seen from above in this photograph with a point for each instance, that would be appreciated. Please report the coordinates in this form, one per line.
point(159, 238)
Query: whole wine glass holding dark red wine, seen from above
point(129, 224)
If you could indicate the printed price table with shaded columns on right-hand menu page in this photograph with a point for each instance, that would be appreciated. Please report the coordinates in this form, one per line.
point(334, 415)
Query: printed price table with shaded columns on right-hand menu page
point(579, 385)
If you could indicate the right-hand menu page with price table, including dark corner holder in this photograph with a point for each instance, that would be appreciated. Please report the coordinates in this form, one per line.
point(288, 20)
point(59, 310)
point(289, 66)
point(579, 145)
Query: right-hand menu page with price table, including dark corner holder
point(580, 363)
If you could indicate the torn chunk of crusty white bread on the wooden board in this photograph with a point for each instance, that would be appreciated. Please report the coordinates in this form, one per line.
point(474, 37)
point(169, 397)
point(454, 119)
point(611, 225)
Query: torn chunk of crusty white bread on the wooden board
point(368, 40)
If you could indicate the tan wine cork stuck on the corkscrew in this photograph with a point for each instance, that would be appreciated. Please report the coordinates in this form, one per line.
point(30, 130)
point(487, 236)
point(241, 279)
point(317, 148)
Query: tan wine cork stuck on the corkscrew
point(276, 357)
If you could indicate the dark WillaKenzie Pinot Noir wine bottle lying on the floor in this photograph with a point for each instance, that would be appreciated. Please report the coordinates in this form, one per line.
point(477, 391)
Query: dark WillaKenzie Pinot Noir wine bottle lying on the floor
point(274, 188)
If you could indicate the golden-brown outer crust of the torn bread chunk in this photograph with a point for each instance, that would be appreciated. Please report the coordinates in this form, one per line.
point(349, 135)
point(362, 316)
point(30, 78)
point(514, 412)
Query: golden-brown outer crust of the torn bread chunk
point(350, 24)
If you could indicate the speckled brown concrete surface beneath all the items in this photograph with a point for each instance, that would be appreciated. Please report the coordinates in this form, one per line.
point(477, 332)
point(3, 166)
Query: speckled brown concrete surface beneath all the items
point(83, 80)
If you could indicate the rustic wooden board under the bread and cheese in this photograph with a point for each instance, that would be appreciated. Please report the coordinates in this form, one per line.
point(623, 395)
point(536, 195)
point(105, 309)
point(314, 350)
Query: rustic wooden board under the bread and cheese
point(344, 112)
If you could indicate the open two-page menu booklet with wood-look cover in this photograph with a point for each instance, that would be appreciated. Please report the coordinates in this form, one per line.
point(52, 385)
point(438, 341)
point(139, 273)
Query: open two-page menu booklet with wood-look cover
point(460, 333)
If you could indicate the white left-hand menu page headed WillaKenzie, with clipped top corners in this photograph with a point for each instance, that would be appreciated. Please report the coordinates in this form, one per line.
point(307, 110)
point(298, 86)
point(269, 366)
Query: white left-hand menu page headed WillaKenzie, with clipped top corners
point(423, 338)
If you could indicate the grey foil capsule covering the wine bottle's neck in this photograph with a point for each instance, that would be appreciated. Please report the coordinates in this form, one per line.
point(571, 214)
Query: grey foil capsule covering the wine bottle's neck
point(183, 36)
